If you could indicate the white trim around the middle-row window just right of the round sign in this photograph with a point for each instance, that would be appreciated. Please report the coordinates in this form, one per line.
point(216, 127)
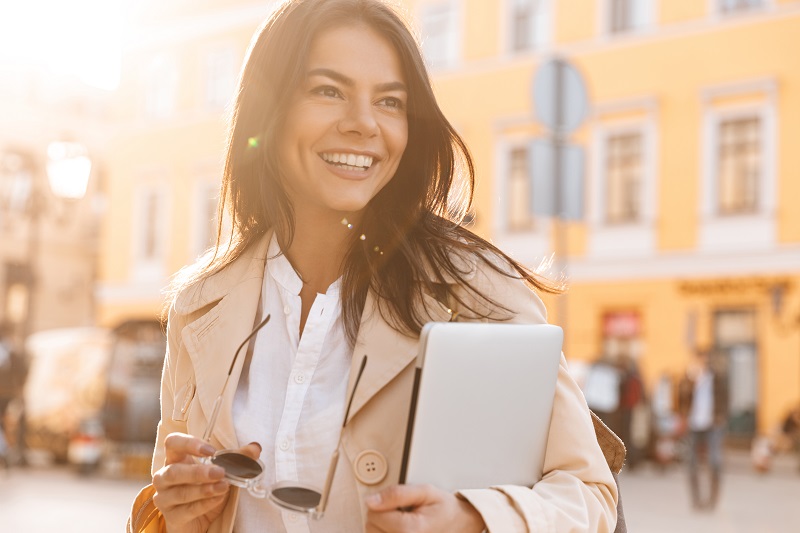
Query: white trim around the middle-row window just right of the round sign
point(633, 239)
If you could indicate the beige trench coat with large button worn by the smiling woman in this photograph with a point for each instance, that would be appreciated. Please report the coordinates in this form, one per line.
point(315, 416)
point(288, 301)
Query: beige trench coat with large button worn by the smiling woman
point(210, 319)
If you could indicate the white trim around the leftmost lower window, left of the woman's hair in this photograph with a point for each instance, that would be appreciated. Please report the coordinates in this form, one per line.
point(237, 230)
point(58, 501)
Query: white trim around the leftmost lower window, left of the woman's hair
point(145, 269)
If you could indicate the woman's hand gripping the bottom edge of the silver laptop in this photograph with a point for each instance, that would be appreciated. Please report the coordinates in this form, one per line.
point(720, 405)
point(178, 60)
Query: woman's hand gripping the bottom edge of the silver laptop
point(420, 508)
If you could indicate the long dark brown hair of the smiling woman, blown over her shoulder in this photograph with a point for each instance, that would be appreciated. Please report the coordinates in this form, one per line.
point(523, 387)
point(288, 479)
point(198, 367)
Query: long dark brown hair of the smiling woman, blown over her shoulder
point(416, 241)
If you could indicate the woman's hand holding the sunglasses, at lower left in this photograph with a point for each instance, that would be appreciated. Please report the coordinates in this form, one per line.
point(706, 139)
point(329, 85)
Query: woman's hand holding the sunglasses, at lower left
point(191, 495)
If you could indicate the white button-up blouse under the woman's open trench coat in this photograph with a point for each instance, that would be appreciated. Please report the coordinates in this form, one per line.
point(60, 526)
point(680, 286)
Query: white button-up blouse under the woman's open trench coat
point(290, 399)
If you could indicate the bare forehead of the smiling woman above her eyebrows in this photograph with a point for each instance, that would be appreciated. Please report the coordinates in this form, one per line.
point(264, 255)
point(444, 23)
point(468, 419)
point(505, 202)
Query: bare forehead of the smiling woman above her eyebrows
point(358, 52)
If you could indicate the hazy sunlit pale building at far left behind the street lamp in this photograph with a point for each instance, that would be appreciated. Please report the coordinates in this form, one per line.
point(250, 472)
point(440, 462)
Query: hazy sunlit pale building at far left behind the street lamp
point(51, 200)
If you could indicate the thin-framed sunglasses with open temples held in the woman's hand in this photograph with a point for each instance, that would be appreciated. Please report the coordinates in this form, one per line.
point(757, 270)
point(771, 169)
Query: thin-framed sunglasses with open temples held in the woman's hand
point(247, 473)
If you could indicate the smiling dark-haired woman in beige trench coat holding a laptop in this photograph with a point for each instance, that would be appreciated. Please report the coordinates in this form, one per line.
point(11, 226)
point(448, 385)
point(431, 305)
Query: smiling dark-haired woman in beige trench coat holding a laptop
point(341, 181)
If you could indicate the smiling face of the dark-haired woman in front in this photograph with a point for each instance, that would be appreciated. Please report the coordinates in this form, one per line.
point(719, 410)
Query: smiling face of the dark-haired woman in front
point(346, 127)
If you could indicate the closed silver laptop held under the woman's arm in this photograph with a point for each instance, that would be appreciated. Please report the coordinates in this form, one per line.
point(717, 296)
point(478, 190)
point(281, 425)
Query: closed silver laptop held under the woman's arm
point(481, 406)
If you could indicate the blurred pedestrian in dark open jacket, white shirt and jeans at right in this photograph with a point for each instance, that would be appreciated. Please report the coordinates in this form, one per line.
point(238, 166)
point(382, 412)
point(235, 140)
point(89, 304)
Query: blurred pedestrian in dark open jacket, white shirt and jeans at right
point(703, 406)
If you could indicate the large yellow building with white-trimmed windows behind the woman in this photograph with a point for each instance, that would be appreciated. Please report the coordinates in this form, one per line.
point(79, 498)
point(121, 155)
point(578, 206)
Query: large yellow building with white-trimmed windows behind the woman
point(689, 238)
